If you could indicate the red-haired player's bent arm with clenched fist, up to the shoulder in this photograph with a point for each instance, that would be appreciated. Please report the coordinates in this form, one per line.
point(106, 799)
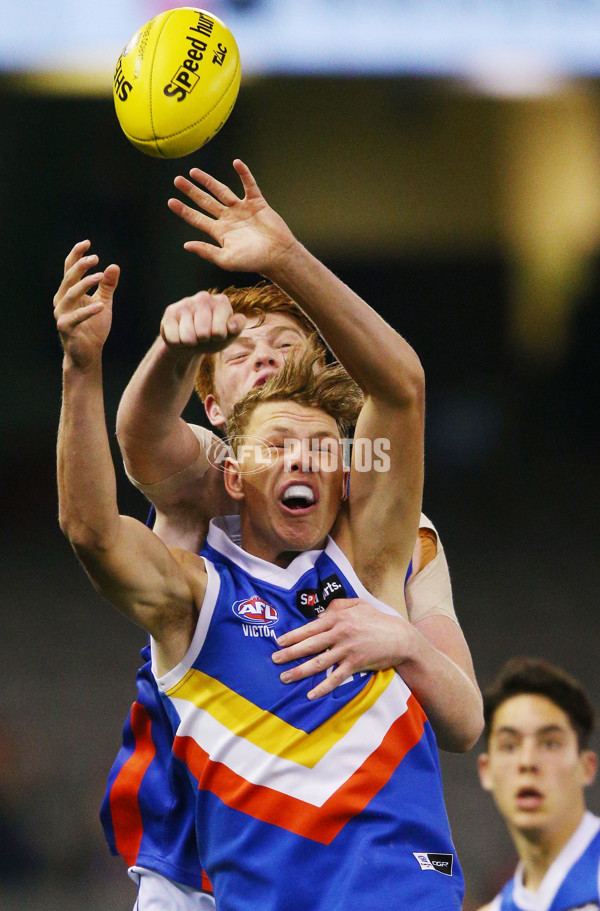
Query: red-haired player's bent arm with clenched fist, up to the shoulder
point(164, 456)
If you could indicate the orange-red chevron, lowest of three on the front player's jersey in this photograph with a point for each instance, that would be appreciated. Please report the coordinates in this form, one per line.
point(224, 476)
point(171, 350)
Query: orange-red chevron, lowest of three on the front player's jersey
point(320, 824)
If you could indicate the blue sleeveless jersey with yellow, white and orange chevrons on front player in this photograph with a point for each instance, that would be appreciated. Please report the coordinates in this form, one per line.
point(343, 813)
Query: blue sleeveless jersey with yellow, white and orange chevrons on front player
point(330, 805)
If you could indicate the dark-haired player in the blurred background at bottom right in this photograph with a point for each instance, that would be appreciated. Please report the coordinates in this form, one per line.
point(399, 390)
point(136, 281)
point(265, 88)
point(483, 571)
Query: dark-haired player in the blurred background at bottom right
point(537, 764)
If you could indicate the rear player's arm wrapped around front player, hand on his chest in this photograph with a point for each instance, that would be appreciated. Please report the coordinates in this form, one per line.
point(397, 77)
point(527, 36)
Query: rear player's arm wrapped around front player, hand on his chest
point(358, 637)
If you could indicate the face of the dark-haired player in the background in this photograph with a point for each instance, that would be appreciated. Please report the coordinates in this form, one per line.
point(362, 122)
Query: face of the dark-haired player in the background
point(534, 767)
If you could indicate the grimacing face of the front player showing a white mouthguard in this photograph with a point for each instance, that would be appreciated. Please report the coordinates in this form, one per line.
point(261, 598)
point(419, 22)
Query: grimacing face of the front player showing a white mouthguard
point(291, 502)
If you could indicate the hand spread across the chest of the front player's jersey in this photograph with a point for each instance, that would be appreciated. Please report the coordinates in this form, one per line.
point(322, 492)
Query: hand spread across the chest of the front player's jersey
point(349, 636)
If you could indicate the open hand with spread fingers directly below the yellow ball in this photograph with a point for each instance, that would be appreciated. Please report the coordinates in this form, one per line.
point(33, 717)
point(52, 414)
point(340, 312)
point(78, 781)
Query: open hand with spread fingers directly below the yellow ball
point(249, 235)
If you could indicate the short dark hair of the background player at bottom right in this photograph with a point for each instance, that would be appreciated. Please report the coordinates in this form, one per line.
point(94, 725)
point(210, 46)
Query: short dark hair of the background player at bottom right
point(538, 677)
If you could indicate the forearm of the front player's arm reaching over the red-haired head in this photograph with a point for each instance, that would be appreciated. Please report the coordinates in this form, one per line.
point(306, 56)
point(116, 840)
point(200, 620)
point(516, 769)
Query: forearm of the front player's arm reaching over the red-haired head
point(352, 329)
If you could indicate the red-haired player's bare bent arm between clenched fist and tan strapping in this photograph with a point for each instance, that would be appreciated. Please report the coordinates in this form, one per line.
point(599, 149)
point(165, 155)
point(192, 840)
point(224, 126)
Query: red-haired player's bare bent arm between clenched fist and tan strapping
point(155, 440)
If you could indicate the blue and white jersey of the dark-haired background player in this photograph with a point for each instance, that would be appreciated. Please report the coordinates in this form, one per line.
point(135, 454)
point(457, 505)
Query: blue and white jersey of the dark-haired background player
point(571, 882)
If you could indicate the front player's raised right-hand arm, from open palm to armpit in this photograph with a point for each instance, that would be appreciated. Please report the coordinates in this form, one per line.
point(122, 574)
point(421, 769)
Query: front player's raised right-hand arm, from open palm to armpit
point(249, 236)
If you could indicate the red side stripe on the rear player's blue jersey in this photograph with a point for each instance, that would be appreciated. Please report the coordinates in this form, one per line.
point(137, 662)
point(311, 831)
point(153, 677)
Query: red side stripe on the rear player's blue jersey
point(127, 819)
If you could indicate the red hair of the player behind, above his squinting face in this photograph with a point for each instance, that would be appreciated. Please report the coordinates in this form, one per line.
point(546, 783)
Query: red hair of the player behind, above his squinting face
point(255, 302)
